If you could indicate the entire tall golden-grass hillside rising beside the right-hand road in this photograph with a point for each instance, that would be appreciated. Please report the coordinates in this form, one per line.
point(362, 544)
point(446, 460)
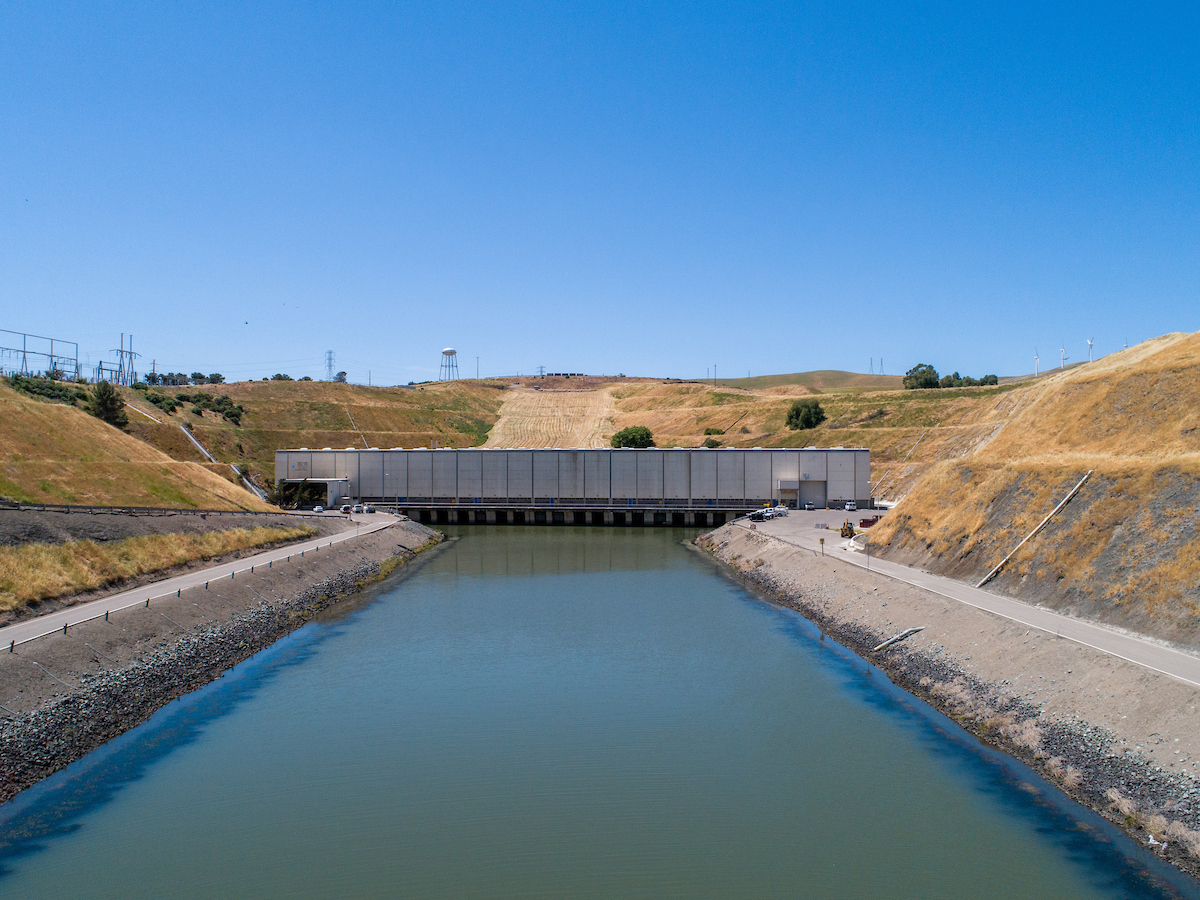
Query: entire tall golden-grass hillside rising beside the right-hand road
point(1127, 548)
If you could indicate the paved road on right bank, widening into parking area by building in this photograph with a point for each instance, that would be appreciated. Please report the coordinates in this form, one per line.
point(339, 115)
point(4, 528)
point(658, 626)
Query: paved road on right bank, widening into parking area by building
point(800, 530)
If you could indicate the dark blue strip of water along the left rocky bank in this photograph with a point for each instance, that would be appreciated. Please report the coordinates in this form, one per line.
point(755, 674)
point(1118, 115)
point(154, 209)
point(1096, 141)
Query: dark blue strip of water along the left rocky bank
point(56, 807)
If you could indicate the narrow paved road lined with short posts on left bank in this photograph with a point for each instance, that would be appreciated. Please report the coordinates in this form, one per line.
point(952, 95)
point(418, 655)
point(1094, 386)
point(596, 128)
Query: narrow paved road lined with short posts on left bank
point(55, 622)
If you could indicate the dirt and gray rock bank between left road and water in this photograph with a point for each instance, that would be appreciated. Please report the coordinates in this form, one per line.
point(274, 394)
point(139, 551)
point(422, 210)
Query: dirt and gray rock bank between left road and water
point(65, 695)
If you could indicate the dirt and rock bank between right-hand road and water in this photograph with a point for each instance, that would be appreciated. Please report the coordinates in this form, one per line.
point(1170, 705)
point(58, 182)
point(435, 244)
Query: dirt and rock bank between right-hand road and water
point(1117, 737)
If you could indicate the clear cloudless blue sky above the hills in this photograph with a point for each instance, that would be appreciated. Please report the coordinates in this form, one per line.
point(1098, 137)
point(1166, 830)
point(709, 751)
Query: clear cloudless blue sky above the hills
point(645, 189)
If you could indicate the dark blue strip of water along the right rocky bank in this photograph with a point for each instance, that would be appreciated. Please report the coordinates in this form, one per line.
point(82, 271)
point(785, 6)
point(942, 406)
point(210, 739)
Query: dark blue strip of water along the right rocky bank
point(1117, 861)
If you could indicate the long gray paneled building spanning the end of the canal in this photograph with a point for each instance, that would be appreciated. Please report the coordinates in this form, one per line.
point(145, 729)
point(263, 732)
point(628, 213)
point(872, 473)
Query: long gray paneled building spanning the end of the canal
point(658, 487)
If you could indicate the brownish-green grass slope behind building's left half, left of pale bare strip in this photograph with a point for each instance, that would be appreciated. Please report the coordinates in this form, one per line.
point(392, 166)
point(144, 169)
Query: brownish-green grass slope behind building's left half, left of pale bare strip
point(291, 415)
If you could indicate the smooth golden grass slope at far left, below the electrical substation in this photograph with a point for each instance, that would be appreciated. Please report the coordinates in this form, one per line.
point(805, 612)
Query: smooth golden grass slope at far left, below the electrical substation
point(51, 453)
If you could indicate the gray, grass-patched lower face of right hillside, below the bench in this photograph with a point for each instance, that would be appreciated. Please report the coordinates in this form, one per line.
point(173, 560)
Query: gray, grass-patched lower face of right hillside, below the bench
point(1125, 551)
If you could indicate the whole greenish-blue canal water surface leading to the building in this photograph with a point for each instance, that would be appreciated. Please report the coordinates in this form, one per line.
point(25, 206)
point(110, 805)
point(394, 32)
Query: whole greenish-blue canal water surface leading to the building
point(560, 713)
